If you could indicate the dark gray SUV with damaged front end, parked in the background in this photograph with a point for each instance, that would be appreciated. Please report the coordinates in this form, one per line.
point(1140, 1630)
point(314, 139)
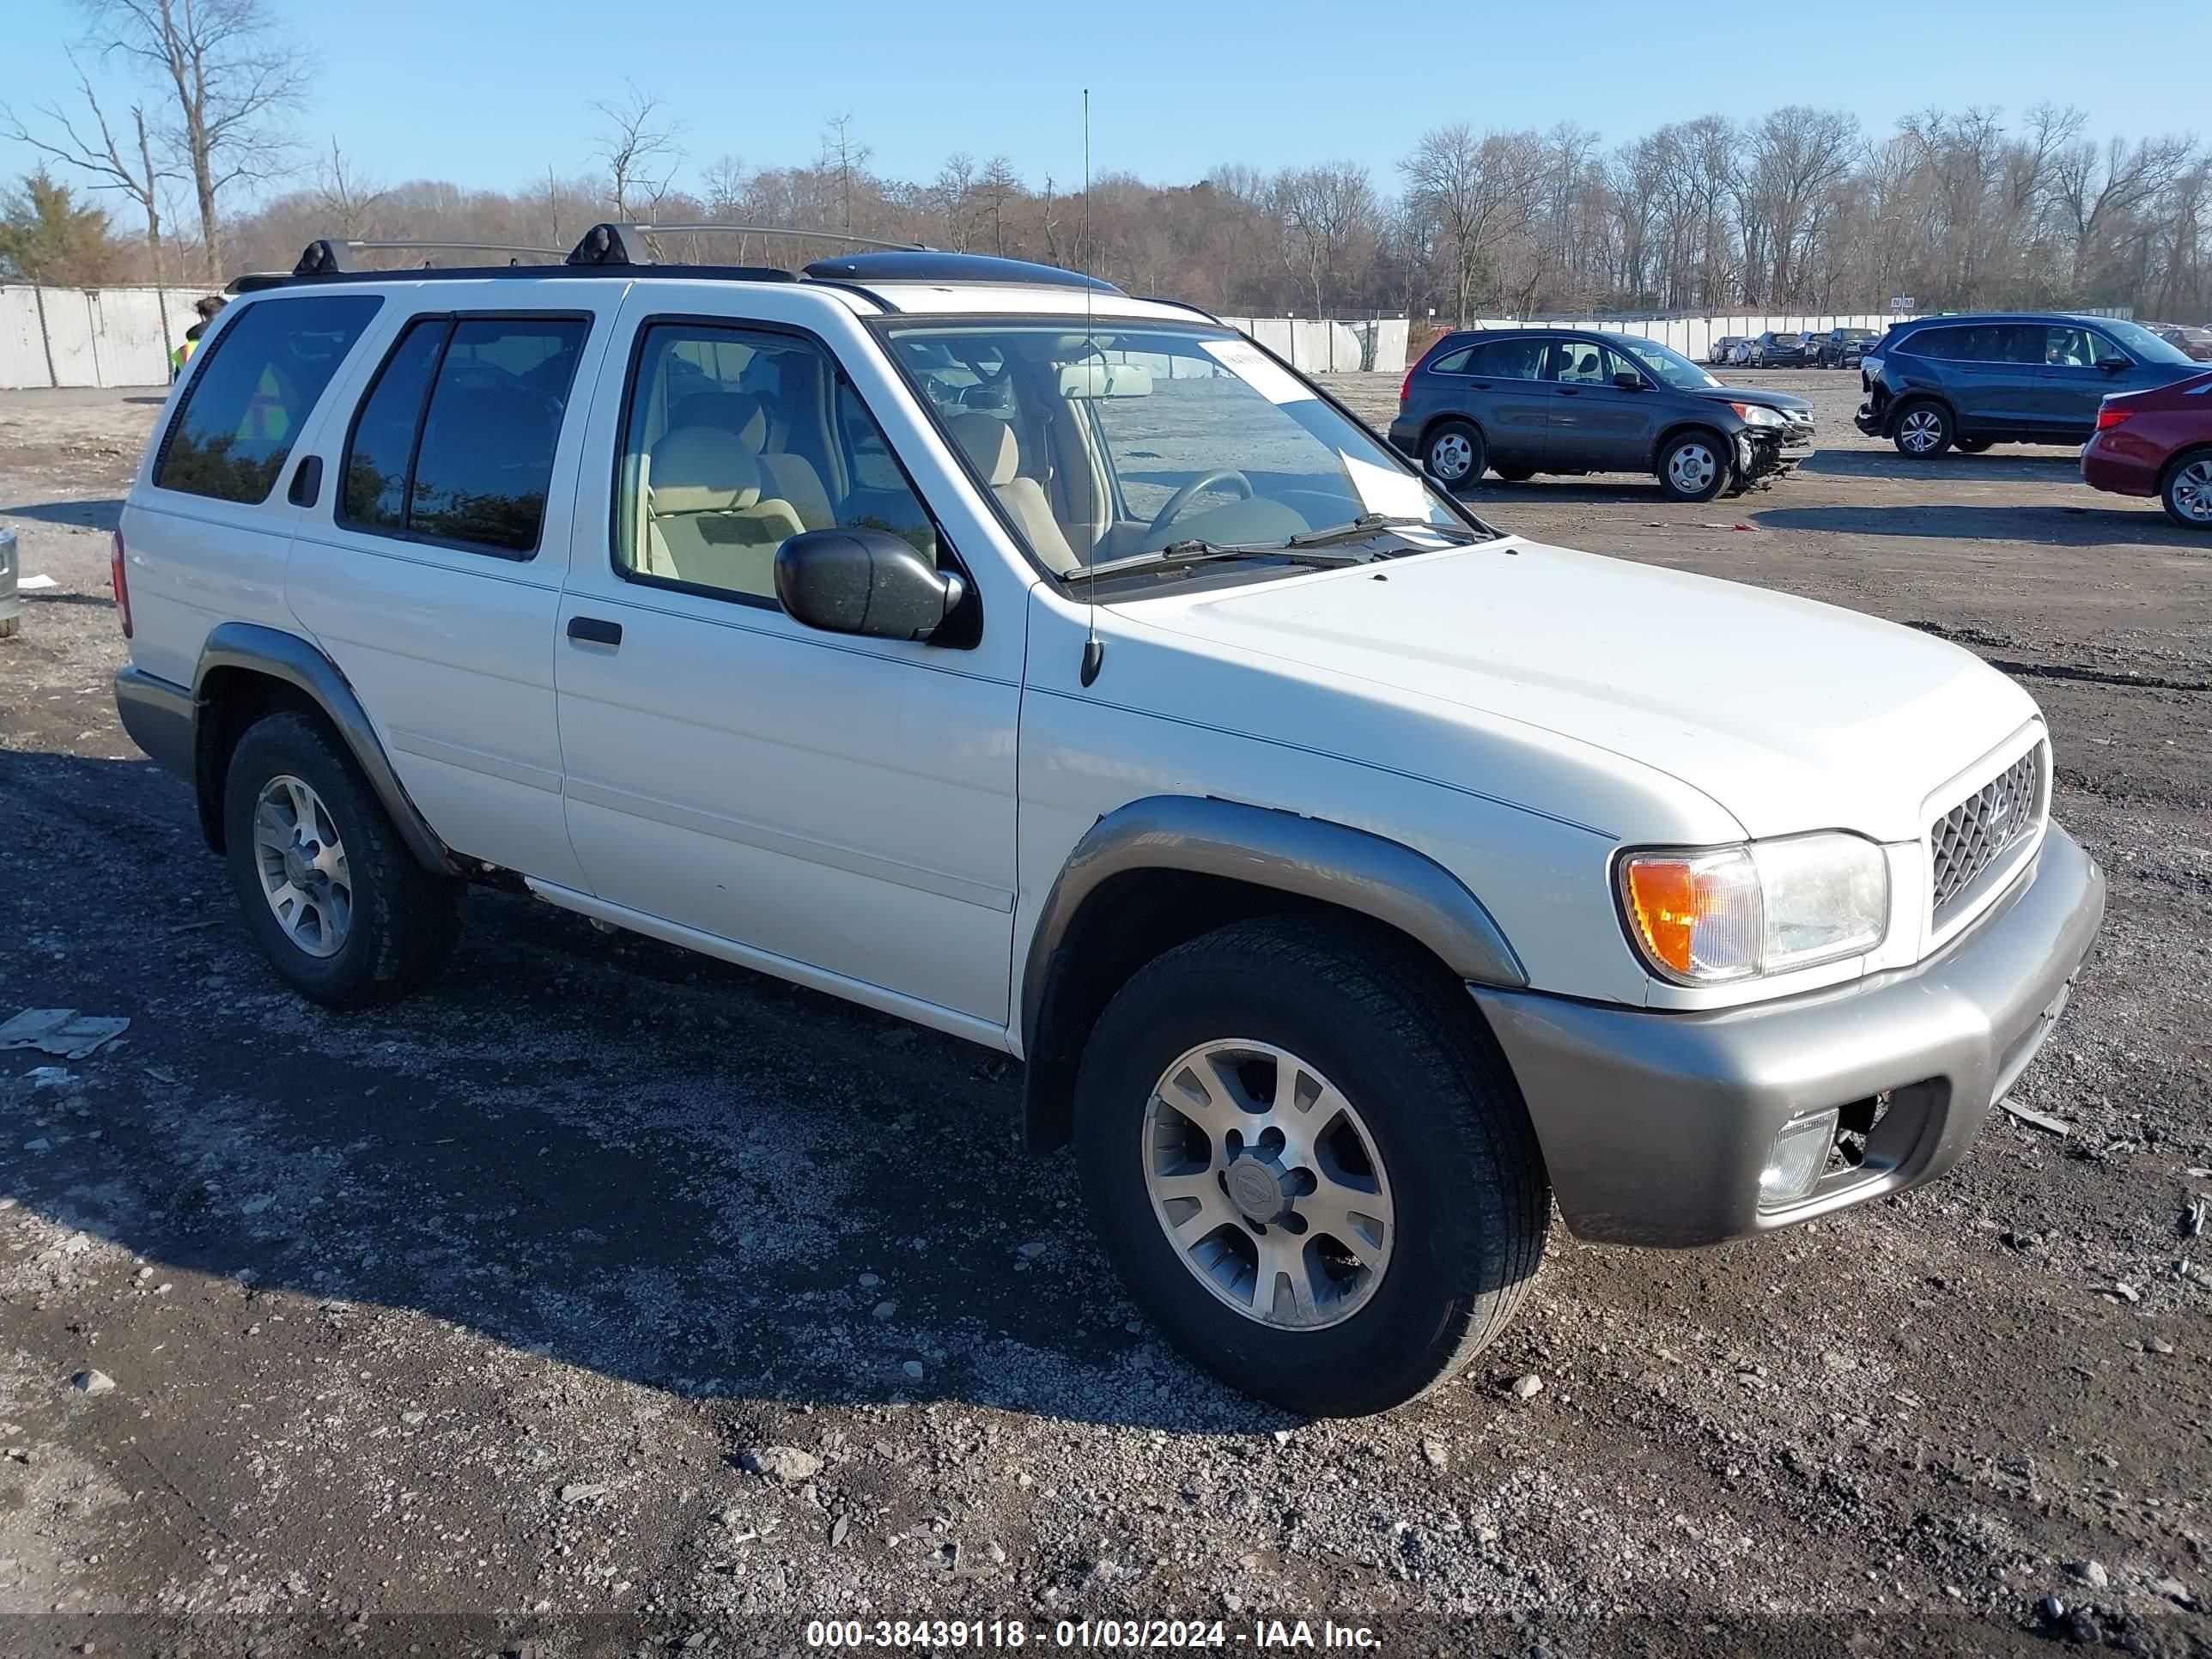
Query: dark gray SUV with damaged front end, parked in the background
point(1569, 401)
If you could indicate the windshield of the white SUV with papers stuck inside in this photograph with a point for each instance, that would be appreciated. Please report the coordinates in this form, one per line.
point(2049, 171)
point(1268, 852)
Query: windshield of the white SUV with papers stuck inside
point(1136, 437)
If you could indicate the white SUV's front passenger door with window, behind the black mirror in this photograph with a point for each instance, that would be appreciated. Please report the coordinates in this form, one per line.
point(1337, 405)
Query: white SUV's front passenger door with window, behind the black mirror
point(839, 808)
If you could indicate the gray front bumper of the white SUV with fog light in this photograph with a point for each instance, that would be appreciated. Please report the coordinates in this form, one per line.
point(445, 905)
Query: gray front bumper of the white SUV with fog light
point(1658, 1125)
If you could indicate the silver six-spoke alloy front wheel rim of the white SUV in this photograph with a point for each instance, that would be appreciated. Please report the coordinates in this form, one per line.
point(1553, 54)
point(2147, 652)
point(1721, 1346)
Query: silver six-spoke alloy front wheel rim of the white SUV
point(1269, 1185)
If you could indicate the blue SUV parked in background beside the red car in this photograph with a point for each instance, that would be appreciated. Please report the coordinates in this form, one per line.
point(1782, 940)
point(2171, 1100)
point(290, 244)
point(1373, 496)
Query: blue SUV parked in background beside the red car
point(2014, 377)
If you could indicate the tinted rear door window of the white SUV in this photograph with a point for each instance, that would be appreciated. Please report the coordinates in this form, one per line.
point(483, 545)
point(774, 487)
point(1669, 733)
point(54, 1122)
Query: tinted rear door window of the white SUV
point(457, 437)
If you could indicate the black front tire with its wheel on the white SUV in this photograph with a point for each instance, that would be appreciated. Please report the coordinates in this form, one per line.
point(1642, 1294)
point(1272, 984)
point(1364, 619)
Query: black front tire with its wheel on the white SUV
point(1428, 1094)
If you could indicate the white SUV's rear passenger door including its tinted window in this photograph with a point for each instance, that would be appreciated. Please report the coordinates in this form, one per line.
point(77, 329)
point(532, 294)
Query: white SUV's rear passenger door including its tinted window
point(432, 561)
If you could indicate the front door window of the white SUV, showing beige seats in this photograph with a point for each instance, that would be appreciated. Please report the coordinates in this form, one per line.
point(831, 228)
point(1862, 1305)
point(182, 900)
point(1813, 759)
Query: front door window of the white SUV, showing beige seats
point(738, 441)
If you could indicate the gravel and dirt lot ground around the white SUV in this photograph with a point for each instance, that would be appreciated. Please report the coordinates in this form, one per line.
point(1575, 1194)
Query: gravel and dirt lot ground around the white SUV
point(623, 1302)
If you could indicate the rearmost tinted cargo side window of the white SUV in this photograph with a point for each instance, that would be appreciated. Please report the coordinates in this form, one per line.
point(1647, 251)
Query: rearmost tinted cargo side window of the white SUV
point(255, 393)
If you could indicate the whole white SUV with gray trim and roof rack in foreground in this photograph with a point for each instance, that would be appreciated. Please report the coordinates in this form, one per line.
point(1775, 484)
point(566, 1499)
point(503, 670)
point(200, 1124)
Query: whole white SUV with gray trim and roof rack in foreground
point(1061, 671)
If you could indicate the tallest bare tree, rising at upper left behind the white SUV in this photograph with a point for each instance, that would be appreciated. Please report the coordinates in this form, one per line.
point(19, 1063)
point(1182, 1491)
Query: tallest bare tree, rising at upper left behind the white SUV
point(233, 83)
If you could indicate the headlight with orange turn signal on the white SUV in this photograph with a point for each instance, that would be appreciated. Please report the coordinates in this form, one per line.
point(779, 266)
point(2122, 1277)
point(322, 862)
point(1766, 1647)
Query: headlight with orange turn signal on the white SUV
point(1713, 915)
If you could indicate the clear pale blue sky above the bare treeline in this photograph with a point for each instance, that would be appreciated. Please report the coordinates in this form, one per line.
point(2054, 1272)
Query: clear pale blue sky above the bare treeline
point(492, 92)
